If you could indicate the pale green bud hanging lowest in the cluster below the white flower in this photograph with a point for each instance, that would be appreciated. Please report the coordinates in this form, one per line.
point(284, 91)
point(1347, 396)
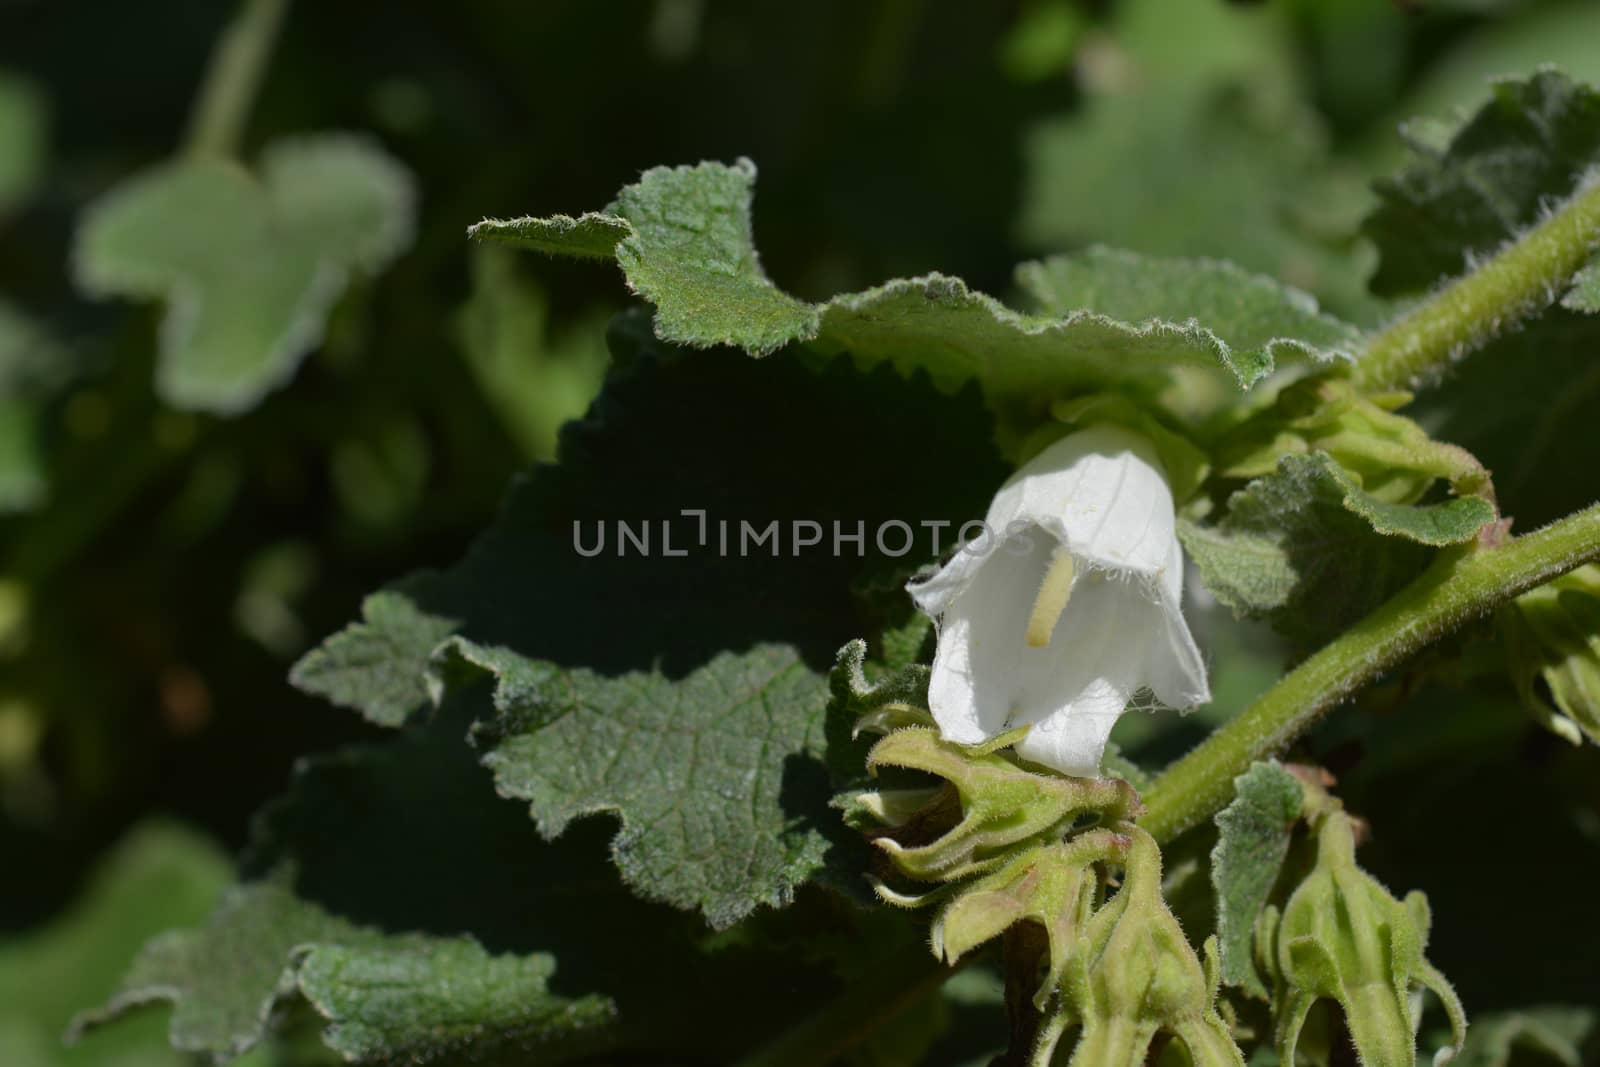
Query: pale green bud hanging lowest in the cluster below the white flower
point(1135, 977)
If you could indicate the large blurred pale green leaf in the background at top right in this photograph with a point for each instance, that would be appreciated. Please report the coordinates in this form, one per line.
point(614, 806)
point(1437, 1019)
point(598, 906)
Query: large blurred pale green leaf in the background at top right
point(1201, 103)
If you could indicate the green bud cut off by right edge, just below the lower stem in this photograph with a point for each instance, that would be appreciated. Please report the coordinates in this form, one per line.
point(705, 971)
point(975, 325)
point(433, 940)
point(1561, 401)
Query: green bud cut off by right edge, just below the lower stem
point(1553, 633)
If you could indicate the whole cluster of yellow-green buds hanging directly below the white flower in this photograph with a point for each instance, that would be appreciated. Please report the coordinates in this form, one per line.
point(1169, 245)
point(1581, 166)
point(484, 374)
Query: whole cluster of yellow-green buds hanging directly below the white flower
point(1004, 845)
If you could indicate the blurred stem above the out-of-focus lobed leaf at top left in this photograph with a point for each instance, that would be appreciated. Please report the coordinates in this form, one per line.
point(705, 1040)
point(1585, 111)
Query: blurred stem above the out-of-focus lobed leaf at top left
point(238, 66)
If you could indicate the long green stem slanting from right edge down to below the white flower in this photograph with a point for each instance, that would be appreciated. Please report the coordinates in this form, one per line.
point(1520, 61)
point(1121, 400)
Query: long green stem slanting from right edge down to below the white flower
point(1458, 588)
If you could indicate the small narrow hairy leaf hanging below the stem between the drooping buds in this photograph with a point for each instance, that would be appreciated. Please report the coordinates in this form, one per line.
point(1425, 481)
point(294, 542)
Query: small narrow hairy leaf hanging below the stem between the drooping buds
point(1254, 837)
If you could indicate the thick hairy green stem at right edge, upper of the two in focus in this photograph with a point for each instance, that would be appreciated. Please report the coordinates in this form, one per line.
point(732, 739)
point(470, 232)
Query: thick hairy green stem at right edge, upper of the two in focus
point(1473, 311)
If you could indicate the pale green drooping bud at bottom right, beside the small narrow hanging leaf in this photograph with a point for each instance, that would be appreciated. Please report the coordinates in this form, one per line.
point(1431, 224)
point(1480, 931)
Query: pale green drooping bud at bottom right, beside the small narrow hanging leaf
point(1343, 938)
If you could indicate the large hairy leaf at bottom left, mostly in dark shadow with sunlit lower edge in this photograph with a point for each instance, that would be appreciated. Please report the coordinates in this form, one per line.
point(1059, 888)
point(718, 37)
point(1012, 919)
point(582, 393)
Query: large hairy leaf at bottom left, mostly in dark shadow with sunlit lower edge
point(420, 917)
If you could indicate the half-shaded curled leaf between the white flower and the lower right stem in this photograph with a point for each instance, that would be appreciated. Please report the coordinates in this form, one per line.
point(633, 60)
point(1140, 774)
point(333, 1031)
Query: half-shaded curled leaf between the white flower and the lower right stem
point(1311, 549)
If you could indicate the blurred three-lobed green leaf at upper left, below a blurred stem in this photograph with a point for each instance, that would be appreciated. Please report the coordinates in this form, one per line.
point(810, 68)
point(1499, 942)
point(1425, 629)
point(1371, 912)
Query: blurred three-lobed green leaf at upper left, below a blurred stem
point(250, 268)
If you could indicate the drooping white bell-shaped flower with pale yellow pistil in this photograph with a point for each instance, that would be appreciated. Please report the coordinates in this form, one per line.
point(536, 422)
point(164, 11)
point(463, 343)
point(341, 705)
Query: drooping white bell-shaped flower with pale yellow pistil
point(1070, 610)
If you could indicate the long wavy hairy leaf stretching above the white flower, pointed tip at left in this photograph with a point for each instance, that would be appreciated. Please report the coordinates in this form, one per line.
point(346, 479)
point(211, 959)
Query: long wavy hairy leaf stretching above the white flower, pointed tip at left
point(690, 252)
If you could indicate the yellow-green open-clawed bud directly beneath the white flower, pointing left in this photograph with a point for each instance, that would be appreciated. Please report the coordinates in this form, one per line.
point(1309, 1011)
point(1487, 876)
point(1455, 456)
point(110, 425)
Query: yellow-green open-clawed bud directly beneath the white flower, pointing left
point(1002, 807)
